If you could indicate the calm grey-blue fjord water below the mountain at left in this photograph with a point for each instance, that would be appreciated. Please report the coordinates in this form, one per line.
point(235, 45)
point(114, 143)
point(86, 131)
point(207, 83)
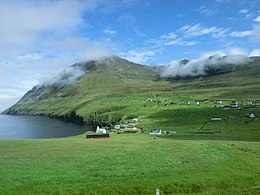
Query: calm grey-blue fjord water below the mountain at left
point(34, 127)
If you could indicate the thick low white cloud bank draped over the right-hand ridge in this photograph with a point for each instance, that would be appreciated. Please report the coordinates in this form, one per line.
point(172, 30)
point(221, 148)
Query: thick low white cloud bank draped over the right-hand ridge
point(218, 62)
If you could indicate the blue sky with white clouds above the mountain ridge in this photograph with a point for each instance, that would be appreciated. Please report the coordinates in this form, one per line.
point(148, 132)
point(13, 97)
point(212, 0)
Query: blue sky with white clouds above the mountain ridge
point(40, 38)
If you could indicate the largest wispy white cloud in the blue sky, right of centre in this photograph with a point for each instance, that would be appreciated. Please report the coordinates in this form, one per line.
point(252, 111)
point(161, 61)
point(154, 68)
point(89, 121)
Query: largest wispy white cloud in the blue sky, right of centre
point(199, 30)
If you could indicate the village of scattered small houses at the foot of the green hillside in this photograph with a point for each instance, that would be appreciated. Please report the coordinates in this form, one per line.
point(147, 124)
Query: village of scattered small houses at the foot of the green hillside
point(133, 125)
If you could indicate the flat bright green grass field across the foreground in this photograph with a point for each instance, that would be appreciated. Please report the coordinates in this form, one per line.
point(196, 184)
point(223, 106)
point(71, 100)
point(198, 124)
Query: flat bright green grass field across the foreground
point(129, 164)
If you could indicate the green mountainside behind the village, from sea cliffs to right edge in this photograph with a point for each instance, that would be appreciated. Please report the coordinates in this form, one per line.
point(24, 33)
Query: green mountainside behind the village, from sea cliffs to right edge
point(114, 90)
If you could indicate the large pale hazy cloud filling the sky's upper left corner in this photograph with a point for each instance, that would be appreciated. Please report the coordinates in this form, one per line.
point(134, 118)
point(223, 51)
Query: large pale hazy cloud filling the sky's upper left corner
point(22, 23)
